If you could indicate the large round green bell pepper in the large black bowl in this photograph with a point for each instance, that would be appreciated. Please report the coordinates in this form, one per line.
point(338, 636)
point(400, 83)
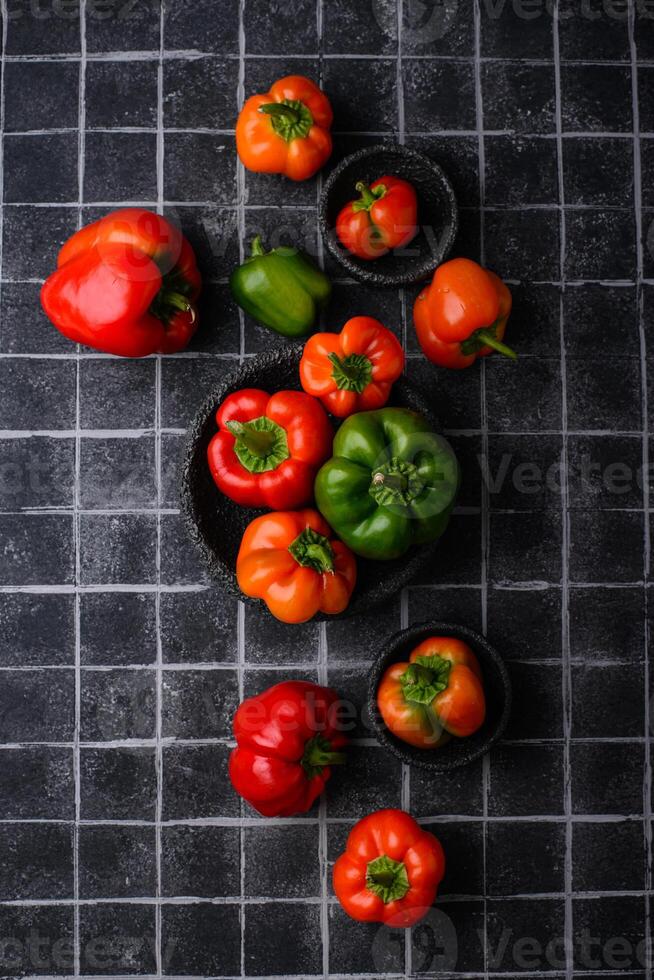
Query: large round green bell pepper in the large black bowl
point(390, 484)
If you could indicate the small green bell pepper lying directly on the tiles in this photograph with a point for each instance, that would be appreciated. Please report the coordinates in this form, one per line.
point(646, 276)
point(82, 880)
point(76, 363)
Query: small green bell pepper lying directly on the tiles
point(282, 289)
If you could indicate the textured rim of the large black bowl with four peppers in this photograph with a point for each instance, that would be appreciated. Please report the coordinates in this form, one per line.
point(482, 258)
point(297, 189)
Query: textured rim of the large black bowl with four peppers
point(219, 571)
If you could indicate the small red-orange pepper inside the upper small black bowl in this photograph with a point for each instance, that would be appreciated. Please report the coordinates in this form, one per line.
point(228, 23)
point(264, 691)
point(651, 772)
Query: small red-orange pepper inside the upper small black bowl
point(385, 216)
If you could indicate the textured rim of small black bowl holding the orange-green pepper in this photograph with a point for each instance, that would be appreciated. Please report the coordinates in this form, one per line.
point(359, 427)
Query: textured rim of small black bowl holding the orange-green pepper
point(489, 658)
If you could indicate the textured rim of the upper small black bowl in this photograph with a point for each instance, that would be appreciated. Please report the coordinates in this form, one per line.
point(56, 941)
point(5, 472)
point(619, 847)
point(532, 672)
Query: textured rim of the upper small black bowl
point(424, 264)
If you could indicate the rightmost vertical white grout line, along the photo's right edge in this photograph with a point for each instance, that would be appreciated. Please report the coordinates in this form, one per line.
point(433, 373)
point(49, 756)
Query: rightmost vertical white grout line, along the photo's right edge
point(647, 776)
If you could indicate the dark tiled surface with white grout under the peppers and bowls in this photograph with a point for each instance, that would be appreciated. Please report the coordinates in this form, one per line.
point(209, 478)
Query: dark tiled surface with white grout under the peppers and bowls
point(122, 667)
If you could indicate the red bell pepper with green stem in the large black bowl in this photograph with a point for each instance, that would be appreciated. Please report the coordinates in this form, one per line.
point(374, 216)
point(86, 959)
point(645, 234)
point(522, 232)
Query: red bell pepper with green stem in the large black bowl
point(268, 449)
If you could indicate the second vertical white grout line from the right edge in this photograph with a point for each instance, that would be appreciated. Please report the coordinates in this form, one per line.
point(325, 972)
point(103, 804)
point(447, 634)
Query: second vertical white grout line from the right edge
point(565, 527)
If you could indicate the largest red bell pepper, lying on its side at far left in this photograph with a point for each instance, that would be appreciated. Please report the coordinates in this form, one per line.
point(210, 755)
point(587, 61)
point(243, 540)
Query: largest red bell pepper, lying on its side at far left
point(127, 285)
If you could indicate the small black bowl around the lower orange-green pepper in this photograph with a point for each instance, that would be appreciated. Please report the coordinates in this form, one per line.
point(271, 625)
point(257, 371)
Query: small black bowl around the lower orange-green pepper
point(497, 687)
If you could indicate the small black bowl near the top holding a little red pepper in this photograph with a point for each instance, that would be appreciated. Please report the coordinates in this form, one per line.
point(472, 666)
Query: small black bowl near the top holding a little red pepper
point(438, 217)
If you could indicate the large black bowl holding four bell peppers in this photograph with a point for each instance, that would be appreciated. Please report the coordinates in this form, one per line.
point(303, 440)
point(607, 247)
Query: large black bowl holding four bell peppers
point(216, 523)
